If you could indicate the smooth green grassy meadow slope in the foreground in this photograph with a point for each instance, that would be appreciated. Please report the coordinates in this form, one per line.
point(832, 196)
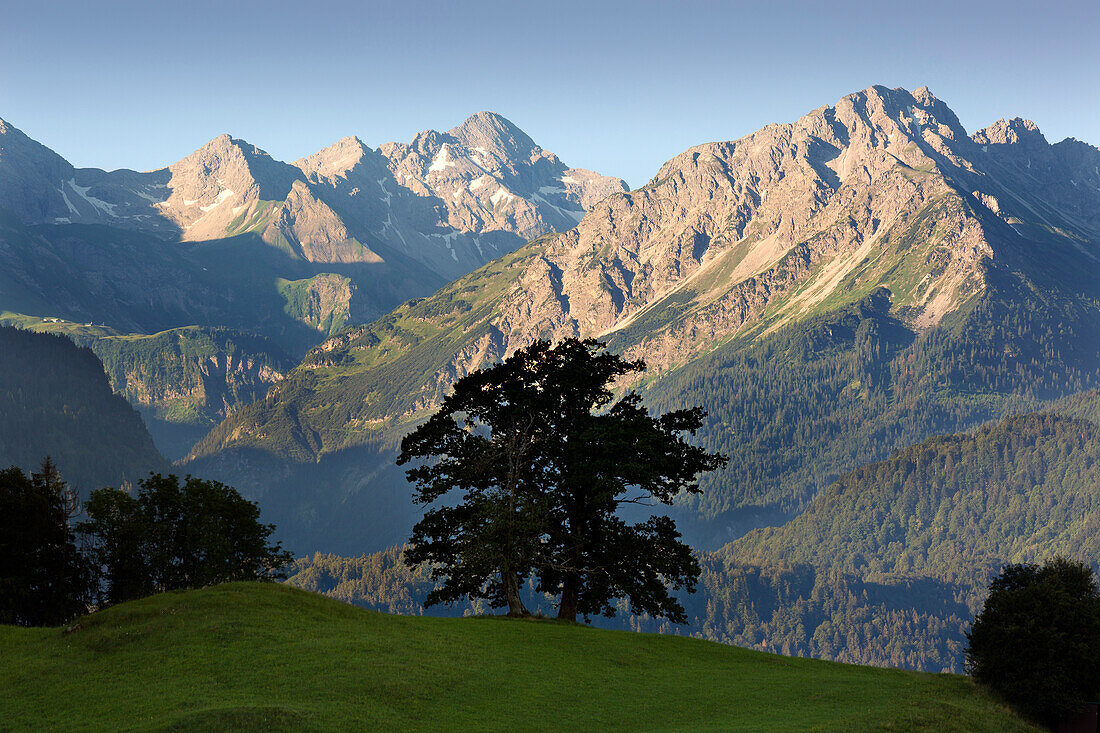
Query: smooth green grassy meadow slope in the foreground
point(249, 657)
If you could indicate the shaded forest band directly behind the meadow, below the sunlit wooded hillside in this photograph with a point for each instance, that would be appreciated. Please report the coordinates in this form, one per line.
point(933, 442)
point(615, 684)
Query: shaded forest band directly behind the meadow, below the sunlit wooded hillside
point(793, 610)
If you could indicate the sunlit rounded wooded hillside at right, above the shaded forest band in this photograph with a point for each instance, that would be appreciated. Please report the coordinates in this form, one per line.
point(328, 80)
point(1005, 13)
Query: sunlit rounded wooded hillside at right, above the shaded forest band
point(954, 508)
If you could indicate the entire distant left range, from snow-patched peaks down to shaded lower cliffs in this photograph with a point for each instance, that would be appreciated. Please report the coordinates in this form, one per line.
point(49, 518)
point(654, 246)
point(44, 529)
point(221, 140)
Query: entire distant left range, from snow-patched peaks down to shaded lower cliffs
point(230, 238)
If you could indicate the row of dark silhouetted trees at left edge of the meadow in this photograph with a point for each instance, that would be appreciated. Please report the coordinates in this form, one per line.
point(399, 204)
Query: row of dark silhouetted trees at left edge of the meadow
point(166, 537)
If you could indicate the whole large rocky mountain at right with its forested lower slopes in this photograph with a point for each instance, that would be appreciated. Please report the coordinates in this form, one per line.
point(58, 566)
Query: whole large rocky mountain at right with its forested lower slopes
point(830, 290)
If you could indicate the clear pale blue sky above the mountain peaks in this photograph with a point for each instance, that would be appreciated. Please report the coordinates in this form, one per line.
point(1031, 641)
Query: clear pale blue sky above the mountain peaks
point(619, 87)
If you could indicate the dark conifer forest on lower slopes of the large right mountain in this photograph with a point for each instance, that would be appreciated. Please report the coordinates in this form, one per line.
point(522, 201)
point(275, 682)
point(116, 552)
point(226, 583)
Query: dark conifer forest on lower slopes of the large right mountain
point(798, 409)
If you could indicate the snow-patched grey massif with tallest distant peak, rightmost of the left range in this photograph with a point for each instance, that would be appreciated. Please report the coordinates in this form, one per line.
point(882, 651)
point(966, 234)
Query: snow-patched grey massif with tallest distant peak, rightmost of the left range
point(455, 201)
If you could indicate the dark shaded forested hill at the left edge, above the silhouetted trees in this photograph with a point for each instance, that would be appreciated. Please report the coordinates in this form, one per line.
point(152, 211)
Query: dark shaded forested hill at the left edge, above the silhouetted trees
point(56, 400)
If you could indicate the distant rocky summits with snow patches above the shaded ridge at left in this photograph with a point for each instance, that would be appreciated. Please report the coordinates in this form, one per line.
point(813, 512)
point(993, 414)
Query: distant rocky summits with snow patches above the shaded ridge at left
point(450, 202)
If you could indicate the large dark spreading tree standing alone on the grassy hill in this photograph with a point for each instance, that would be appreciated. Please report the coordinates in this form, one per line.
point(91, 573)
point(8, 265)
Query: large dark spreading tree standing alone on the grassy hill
point(543, 457)
